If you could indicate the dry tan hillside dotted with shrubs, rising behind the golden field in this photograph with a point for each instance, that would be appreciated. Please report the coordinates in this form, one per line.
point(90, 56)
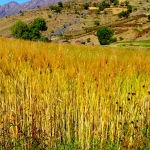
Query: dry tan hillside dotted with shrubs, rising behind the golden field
point(75, 23)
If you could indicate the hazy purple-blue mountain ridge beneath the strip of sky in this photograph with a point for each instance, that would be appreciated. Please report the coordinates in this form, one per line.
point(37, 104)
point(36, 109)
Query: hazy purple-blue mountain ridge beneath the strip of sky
point(13, 8)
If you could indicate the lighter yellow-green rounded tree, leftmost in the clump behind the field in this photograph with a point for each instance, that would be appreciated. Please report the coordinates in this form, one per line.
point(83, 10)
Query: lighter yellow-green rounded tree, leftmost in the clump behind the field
point(20, 30)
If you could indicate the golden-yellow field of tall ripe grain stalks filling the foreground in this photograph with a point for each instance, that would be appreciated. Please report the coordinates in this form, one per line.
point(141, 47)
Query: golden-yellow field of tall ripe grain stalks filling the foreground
point(70, 97)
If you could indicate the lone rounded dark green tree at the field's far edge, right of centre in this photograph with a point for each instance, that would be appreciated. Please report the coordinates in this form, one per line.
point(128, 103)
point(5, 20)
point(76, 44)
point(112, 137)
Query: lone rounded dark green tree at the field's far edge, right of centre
point(105, 36)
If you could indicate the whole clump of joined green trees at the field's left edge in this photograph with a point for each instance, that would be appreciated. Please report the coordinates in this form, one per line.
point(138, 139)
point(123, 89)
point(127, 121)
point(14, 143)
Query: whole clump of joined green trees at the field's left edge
point(20, 30)
